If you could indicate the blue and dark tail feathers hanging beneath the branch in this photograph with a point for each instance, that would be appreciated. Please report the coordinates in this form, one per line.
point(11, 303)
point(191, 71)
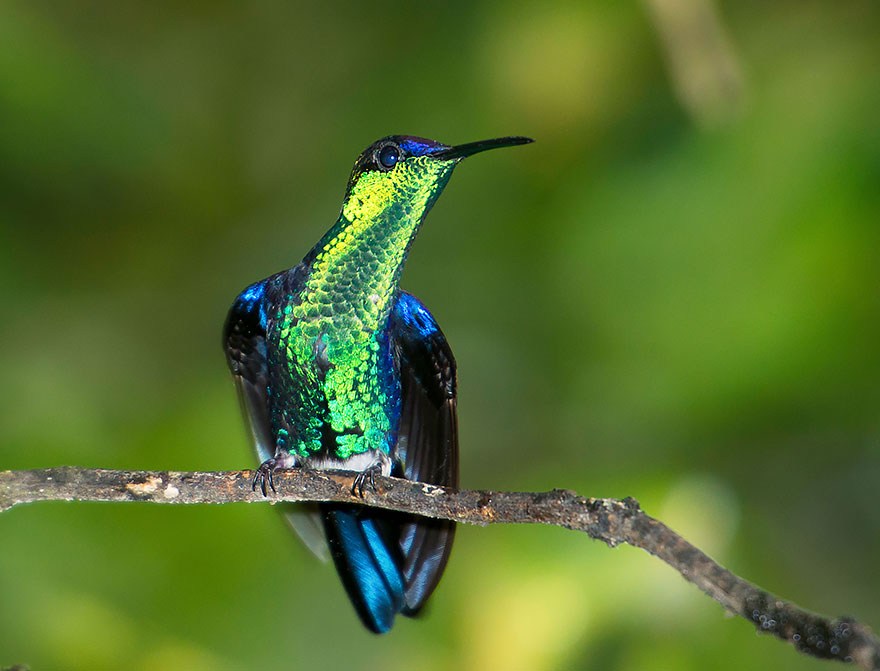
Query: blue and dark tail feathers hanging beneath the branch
point(388, 562)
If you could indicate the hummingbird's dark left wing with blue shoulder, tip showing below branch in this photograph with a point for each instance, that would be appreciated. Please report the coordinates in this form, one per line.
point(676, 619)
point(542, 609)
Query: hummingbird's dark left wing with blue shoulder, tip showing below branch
point(244, 339)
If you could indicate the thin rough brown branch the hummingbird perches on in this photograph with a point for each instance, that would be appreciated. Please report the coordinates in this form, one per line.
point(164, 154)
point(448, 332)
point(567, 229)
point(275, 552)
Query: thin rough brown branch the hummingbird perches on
point(613, 521)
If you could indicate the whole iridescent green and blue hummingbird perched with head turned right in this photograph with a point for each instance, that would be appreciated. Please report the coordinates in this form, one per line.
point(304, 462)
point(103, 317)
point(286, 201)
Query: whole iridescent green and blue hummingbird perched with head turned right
point(336, 367)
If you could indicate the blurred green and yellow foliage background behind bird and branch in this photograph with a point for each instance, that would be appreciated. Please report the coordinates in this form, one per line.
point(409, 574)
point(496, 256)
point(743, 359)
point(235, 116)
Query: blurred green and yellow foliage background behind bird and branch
point(673, 295)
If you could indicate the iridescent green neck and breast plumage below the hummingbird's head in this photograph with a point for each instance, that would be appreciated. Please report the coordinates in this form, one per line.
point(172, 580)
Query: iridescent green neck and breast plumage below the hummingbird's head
point(334, 333)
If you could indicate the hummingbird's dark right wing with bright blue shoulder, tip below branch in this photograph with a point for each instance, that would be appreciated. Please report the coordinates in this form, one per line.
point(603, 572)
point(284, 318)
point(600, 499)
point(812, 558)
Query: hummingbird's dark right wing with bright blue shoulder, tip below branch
point(427, 447)
